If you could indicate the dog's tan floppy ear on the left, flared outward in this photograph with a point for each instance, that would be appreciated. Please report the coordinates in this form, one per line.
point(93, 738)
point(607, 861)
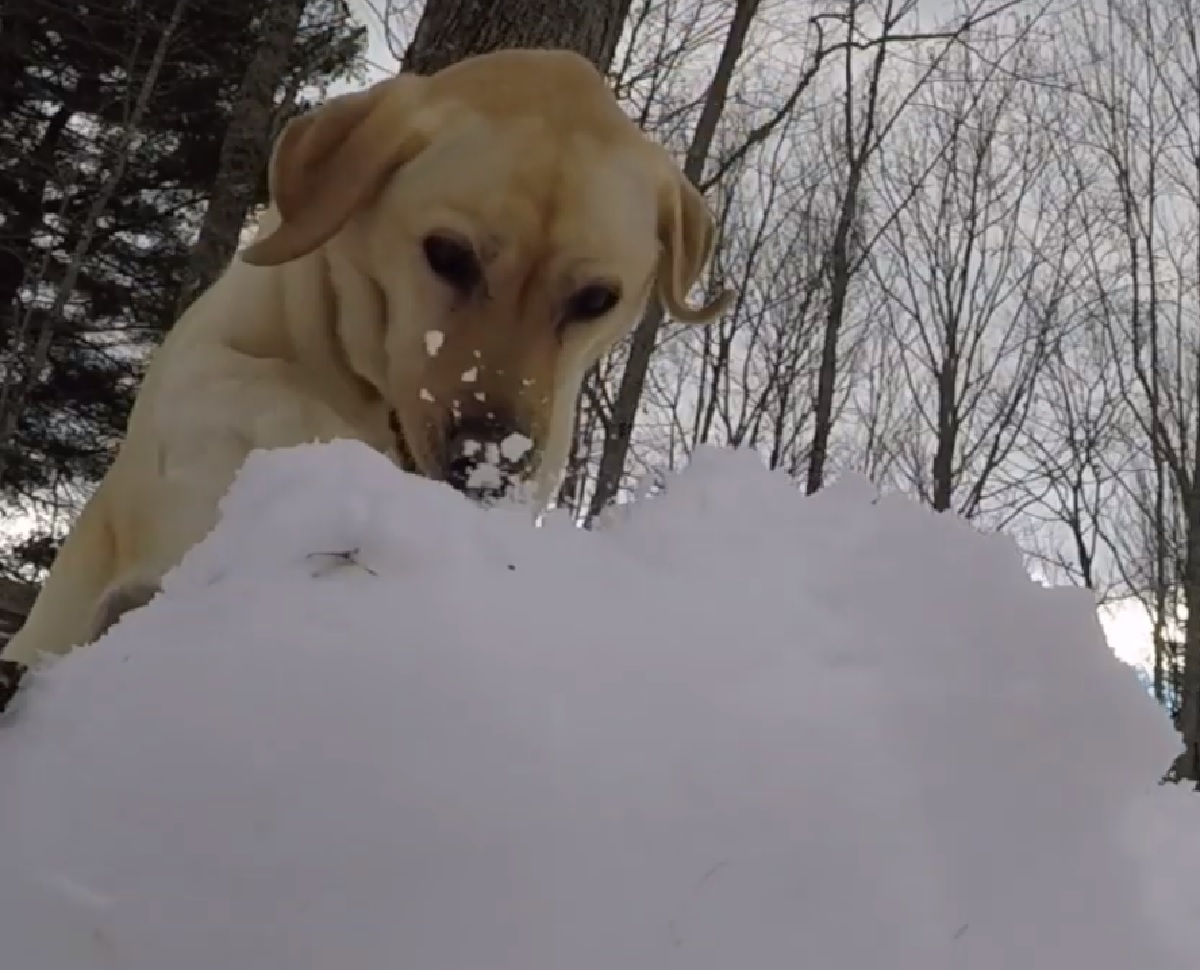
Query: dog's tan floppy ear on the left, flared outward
point(328, 163)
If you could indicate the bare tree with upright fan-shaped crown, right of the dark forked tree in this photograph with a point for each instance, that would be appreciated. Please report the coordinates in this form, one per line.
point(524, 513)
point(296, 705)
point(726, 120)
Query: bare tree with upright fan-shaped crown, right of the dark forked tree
point(975, 267)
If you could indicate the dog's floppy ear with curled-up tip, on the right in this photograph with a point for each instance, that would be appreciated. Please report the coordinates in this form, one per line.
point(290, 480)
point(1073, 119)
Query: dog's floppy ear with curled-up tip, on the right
point(688, 235)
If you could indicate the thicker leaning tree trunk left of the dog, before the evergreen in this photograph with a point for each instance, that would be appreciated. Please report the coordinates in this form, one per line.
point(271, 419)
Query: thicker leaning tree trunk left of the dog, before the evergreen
point(244, 152)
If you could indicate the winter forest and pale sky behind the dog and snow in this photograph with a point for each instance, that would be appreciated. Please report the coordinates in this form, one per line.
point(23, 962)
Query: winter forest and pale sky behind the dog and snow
point(965, 239)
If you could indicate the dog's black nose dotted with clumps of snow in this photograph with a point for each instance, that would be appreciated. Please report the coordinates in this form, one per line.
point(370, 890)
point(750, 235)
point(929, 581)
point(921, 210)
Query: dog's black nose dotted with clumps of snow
point(487, 456)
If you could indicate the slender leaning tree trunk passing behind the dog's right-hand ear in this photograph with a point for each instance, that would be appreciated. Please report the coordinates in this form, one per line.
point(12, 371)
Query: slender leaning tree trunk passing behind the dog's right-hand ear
point(633, 381)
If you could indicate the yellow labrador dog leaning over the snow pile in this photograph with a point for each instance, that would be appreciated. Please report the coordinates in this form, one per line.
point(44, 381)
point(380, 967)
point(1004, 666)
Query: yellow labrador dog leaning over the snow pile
point(445, 259)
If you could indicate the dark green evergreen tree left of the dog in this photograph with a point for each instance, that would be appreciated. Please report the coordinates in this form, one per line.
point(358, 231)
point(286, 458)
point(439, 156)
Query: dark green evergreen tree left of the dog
point(70, 76)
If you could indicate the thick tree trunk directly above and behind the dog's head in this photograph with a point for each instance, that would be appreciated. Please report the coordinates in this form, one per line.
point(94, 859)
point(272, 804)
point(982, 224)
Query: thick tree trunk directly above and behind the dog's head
point(452, 31)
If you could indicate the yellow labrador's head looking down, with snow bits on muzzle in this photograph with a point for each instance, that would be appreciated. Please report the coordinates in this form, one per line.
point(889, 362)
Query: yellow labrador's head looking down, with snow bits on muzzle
point(513, 224)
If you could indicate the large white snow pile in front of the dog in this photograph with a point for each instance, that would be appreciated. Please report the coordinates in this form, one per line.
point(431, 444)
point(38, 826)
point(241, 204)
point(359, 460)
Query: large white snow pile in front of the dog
point(370, 726)
